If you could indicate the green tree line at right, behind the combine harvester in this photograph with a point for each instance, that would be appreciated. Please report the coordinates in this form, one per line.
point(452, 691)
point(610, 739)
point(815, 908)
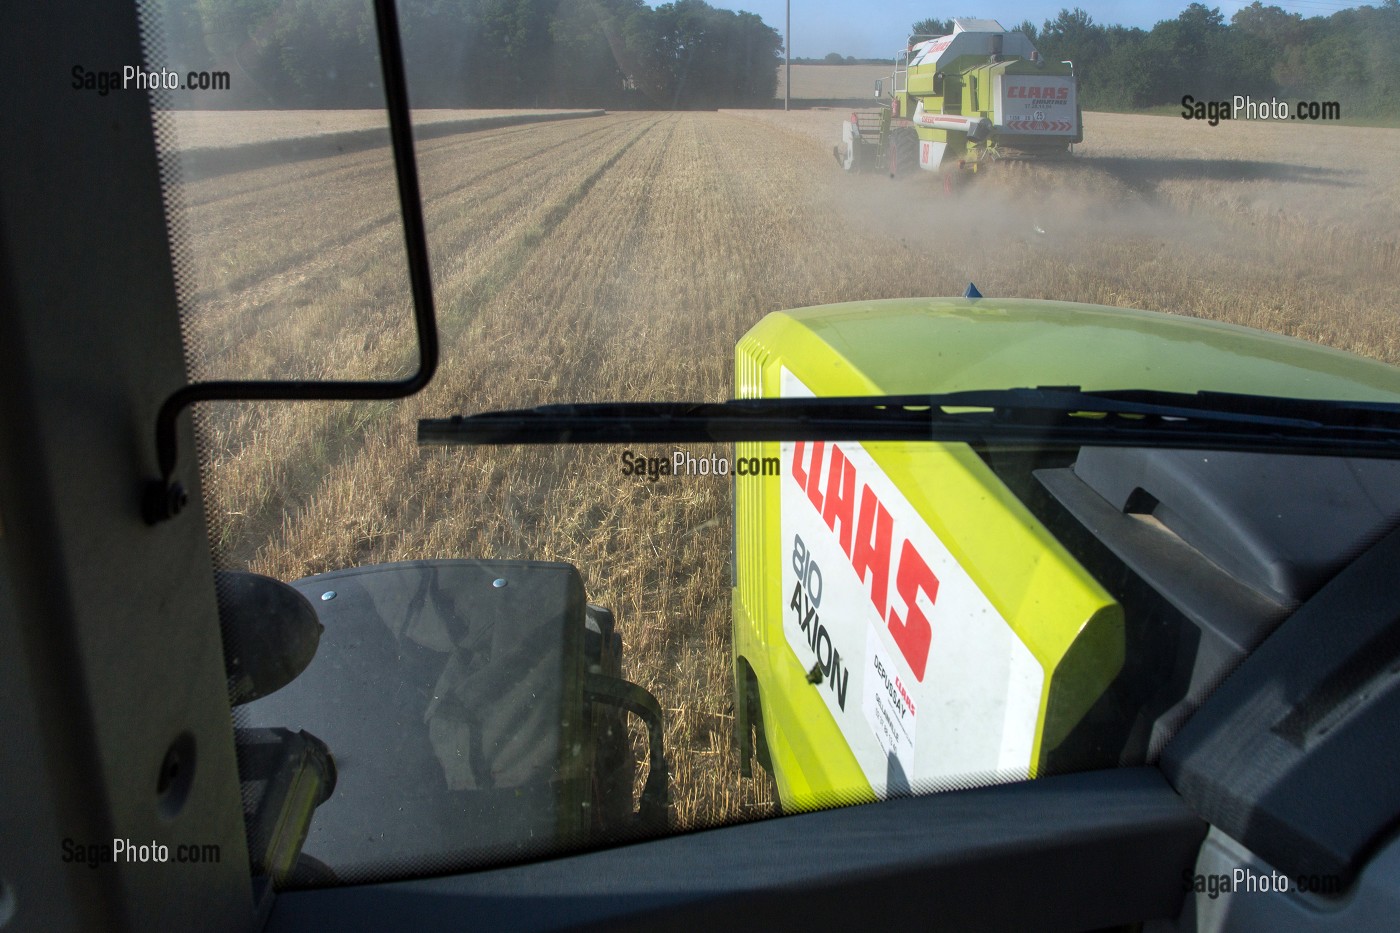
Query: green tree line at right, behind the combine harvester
point(1263, 51)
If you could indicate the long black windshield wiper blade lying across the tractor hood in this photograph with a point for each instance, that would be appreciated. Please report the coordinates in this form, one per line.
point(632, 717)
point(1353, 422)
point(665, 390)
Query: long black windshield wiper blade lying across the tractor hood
point(1046, 417)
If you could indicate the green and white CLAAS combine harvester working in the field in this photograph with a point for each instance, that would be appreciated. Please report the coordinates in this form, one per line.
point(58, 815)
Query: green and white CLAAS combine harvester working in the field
point(962, 102)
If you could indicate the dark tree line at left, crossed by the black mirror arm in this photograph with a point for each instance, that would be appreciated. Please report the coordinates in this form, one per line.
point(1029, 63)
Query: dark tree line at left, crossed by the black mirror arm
point(617, 54)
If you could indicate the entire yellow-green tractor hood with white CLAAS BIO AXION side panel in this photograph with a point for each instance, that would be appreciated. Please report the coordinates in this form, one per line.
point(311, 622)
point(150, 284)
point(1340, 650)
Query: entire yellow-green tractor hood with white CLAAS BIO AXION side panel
point(904, 618)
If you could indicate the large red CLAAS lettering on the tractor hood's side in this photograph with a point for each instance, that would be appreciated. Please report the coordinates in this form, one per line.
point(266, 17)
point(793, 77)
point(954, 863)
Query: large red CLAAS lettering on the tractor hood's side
point(867, 534)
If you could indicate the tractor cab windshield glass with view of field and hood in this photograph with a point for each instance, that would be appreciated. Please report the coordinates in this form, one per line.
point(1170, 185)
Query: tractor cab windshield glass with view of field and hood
point(535, 648)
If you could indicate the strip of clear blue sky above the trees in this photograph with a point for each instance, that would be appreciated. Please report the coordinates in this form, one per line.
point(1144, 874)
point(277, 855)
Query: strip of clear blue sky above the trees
point(876, 29)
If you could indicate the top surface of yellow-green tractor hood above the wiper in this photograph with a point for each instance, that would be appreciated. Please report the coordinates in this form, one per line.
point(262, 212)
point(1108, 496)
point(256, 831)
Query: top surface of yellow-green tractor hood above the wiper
point(948, 345)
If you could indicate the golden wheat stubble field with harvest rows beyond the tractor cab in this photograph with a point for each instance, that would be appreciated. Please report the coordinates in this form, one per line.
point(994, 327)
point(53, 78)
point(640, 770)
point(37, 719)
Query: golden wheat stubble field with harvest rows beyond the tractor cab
point(622, 257)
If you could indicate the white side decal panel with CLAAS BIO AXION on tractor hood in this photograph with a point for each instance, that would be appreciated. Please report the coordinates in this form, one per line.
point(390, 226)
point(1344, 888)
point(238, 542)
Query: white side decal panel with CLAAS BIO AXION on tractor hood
point(920, 672)
